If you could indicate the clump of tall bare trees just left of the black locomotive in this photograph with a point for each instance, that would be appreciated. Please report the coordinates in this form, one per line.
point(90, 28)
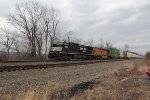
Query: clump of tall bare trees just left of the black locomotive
point(38, 24)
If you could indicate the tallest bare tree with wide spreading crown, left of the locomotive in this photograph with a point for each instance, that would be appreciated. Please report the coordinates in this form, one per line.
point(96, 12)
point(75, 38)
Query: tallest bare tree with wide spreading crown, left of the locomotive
point(26, 20)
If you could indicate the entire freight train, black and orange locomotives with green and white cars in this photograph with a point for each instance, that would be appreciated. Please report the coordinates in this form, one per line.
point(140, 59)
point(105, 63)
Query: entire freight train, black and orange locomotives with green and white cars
point(70, 50)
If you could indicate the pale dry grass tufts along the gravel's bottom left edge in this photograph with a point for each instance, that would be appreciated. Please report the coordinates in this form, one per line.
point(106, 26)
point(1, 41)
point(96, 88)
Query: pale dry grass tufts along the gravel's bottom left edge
point(33, 92)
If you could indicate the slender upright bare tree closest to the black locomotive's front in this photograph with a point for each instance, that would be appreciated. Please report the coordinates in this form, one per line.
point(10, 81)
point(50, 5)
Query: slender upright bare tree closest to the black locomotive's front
point(49, 27)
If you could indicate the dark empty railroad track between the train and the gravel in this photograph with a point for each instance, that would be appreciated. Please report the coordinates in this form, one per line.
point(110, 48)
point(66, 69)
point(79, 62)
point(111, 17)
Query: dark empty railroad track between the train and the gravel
point(13, 66)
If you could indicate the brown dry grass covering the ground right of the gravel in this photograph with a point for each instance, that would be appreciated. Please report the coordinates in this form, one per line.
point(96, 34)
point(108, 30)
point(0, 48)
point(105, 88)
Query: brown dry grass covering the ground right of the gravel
point(123, 87)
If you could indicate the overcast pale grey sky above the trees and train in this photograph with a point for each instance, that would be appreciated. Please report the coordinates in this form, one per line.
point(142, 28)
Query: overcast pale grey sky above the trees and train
point(119, 21)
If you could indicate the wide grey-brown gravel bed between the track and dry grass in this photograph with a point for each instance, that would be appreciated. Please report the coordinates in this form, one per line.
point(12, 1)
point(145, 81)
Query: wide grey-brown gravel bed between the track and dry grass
point(17, 83)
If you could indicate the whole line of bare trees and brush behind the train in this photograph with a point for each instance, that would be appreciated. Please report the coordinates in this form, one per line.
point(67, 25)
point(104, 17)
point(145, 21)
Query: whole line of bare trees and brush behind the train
point(33, 27)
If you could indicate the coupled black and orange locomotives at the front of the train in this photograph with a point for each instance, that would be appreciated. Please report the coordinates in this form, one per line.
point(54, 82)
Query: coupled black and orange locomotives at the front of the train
point(70, 50)
